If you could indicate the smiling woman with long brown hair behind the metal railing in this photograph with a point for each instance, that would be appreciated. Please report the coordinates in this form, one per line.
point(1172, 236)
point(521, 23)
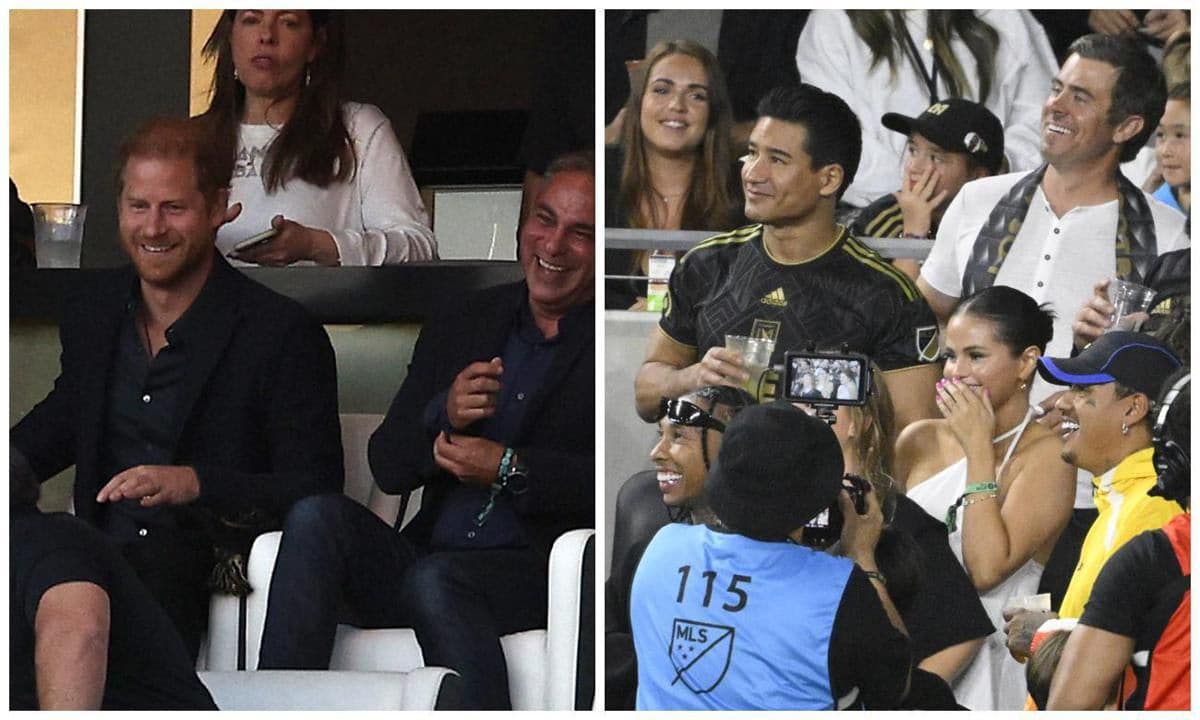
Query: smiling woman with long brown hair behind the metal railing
point(674, 169)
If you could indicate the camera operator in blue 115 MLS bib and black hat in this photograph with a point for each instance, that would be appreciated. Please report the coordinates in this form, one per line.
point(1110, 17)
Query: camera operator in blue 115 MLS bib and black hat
point(741, 616)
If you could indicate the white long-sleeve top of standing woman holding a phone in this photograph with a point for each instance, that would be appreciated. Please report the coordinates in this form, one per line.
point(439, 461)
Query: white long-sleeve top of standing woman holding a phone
point(376, 218)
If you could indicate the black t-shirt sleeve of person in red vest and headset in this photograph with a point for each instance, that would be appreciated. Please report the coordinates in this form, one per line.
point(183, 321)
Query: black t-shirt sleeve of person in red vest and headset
point(1137, 593)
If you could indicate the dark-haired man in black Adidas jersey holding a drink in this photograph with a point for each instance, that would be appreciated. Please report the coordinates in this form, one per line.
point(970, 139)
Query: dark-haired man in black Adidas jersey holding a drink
point(796, 278)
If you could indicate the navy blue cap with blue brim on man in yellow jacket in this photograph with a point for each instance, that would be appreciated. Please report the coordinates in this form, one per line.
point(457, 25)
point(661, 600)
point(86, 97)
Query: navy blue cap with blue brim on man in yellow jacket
point(1133, 359)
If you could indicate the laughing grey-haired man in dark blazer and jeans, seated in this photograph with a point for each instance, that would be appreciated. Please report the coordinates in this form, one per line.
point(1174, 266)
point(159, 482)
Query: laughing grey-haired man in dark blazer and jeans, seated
point(495, 424)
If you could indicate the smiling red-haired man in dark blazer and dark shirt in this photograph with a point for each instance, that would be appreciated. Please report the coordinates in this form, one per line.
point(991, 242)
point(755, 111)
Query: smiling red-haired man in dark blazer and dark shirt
point(196, 405)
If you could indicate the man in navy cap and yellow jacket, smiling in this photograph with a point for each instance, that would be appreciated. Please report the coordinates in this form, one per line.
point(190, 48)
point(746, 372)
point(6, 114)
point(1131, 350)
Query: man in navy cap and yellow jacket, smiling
point(1107, 431)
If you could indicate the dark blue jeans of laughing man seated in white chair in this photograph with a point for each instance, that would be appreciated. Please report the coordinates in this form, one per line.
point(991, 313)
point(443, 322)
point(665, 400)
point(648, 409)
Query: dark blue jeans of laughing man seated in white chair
point(339, 562)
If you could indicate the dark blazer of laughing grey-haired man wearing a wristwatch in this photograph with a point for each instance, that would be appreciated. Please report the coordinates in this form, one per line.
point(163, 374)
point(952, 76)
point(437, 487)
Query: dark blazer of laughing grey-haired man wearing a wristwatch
point(556, 442)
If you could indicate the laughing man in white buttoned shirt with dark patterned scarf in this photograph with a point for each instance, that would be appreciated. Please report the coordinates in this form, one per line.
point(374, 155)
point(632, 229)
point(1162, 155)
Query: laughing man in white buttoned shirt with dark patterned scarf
point(1054, 233)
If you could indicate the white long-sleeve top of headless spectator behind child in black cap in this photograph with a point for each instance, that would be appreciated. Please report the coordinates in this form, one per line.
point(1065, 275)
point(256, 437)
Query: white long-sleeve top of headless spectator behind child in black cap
point(832, 57)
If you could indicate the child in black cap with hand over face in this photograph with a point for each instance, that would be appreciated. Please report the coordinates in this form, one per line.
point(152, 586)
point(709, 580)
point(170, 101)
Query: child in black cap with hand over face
point(953, 142)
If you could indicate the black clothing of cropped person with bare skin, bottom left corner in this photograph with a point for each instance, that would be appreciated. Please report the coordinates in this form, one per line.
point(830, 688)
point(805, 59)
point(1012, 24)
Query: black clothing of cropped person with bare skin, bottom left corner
point(148, 667)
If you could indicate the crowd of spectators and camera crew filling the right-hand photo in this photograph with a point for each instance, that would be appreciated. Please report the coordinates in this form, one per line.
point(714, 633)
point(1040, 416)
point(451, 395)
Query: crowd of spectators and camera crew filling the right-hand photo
point(1022, 541)
